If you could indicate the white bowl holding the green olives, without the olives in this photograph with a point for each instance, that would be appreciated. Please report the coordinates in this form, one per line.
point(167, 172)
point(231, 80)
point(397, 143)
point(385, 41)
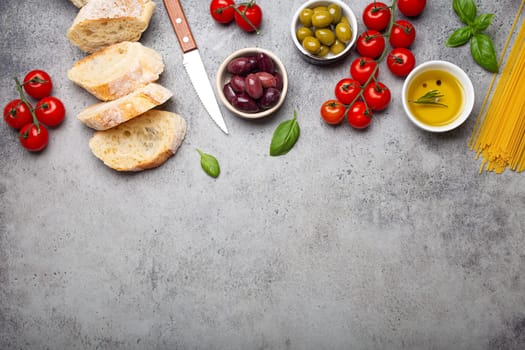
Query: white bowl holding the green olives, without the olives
point(330, 58)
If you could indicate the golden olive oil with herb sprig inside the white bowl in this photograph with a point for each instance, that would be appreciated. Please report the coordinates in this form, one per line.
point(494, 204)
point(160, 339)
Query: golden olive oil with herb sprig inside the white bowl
point(441, 110)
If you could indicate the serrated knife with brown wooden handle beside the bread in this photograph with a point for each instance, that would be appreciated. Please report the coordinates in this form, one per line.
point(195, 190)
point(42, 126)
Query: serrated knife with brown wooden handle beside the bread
point(193, 63)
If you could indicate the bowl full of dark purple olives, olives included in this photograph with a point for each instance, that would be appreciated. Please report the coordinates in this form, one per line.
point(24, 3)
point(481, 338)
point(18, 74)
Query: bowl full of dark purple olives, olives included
point(252, 83)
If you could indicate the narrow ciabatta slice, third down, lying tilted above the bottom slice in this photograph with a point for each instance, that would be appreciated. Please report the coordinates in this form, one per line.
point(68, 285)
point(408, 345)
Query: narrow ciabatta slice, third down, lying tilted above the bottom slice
point(106, 115)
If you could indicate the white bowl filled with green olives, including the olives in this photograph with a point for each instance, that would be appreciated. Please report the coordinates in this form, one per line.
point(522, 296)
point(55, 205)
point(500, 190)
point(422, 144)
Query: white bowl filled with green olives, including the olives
point(324, 31)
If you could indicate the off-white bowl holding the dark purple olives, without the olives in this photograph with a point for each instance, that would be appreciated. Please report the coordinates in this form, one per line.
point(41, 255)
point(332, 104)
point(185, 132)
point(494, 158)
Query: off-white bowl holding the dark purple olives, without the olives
point(223, 77)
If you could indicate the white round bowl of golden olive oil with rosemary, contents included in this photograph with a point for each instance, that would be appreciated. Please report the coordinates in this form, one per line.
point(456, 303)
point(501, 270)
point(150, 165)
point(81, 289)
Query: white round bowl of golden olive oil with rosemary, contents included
point(438, 96)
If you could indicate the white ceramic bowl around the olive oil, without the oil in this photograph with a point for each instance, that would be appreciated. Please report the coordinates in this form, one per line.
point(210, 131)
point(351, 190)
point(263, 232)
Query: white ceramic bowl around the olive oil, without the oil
point(465, 82)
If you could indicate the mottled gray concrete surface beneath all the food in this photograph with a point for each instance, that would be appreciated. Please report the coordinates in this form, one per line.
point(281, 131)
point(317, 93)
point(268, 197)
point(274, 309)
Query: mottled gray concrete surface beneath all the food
point(382, 239)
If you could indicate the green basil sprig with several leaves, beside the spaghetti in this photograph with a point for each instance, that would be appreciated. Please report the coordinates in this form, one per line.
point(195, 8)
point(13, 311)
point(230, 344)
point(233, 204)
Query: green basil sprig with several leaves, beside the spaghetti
point(481, 45)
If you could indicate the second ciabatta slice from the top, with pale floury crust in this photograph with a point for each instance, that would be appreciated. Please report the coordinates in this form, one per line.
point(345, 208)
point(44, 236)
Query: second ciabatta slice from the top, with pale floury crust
point(117, 70)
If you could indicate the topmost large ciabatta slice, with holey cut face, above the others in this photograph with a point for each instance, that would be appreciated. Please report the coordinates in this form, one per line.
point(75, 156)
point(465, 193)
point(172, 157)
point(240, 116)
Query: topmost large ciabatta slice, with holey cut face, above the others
point(104, 22)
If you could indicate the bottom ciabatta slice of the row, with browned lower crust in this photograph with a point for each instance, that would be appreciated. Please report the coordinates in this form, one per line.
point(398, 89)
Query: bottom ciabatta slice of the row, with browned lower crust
point(142, 143)
